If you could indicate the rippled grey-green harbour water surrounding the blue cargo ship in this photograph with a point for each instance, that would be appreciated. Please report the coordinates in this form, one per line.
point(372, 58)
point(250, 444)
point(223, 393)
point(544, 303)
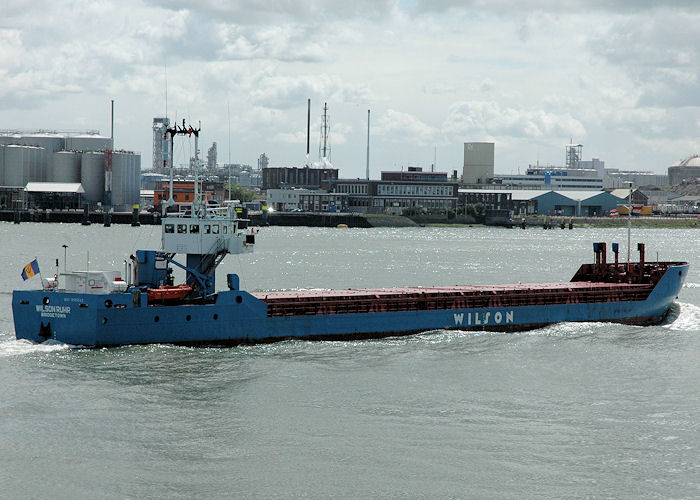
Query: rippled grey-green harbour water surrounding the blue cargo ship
point(572, 410)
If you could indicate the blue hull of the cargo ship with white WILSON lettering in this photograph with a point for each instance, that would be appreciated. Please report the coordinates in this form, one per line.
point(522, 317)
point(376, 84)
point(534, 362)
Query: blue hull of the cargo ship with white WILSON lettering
point(236, 316)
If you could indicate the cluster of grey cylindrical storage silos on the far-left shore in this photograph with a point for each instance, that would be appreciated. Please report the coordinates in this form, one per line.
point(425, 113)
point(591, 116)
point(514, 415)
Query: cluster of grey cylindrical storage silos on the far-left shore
point(63, 158)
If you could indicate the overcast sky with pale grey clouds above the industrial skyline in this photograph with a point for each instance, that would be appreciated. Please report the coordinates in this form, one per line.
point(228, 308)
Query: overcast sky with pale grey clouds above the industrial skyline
point(619, 77)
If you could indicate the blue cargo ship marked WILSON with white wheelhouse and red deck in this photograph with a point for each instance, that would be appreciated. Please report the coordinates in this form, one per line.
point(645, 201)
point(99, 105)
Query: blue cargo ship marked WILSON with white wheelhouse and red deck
point(105, 308)
